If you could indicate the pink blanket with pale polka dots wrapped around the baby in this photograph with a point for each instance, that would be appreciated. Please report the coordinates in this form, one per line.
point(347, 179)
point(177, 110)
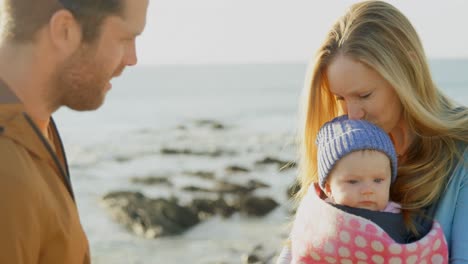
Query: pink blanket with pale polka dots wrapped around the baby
point(322, 233)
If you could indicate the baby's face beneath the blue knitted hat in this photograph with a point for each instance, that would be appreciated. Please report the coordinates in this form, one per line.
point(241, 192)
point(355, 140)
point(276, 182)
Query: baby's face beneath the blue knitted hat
point(361, 179)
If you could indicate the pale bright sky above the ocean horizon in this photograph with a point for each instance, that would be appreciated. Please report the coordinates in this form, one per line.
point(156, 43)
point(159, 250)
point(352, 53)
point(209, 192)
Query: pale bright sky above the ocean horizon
point(278, 31)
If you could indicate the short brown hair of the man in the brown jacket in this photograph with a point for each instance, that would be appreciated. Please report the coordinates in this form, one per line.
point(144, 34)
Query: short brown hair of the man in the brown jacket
point(22, 19)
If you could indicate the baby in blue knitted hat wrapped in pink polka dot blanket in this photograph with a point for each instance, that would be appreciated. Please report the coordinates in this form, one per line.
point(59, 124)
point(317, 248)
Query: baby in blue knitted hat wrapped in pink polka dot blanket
point(357, 223)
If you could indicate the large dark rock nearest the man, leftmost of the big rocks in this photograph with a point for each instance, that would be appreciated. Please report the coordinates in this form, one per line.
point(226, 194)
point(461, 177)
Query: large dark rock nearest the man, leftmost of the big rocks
point(147, 217)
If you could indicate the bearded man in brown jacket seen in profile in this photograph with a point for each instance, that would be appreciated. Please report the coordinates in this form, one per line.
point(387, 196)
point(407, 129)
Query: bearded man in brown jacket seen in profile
point(53, 53)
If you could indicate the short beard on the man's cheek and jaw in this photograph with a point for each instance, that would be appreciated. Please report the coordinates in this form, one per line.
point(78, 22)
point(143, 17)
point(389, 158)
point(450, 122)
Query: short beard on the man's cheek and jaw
point(81, 81)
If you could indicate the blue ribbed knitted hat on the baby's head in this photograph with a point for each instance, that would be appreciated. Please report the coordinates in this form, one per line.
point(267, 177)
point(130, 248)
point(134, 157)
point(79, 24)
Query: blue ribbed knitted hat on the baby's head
point(342, 136)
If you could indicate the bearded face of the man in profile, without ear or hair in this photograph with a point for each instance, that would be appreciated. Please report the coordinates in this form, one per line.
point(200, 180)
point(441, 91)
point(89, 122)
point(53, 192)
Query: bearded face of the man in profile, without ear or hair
point(84, 78)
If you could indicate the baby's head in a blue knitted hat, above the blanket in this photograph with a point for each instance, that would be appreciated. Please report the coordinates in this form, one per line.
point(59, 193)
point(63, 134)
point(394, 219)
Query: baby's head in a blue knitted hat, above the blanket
point(357, 163)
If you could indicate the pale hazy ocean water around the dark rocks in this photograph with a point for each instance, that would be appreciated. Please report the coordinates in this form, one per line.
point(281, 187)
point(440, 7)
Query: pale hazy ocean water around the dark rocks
point(154, 107)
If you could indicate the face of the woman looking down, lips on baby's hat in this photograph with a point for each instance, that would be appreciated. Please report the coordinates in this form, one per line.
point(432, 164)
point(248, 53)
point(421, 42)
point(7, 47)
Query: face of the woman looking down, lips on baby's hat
point(363, 93)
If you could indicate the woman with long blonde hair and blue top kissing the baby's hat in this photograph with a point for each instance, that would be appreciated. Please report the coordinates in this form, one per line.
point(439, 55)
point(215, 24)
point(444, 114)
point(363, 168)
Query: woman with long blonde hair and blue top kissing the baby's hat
point(372, 66)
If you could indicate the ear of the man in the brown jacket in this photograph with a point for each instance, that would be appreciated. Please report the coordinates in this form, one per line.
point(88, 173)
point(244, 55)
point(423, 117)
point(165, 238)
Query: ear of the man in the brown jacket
point(65, 32)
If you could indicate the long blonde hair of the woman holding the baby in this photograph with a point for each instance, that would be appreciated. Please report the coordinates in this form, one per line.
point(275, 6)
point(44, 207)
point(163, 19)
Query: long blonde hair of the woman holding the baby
point(380, 36)
